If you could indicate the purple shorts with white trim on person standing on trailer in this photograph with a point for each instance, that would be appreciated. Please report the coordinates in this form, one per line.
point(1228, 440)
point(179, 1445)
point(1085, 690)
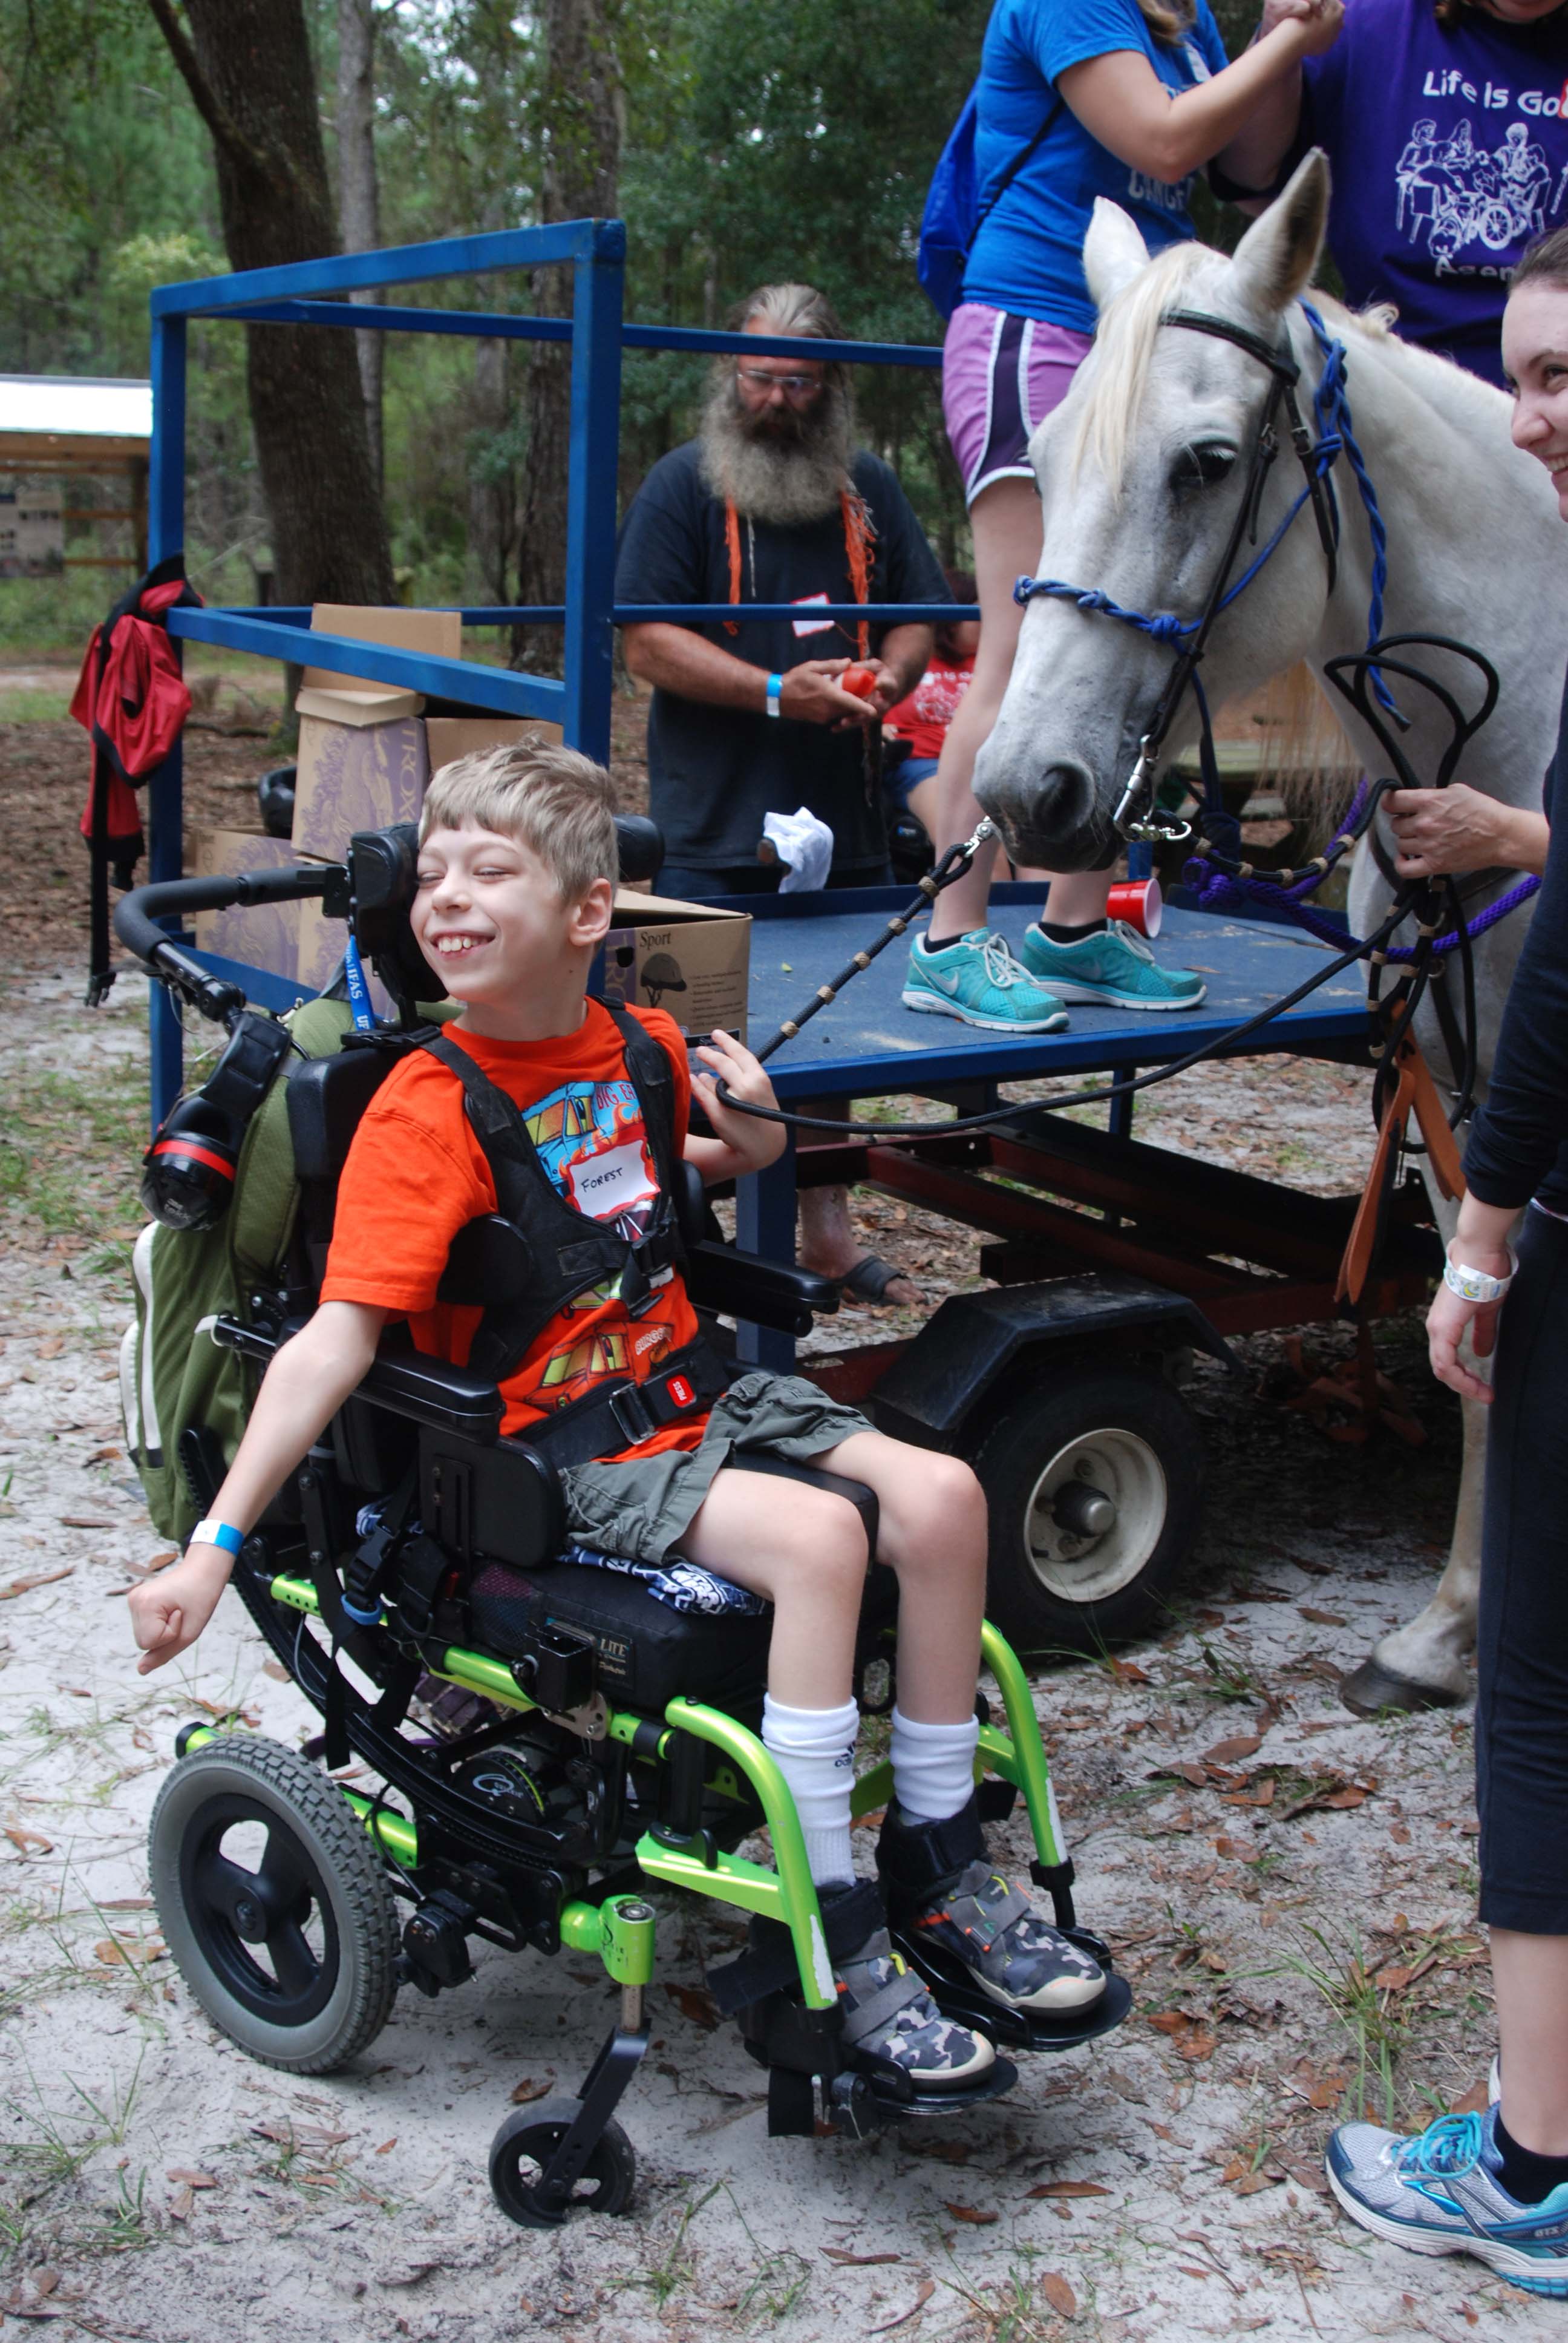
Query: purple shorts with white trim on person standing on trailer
point(1002, 376)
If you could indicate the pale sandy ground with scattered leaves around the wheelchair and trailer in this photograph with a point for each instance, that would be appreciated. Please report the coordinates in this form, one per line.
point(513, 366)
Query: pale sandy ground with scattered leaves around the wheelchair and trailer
point(1290, 1890)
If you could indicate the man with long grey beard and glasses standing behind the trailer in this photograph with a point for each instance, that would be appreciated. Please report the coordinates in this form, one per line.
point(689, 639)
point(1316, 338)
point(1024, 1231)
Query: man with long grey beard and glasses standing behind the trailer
point(772, 503)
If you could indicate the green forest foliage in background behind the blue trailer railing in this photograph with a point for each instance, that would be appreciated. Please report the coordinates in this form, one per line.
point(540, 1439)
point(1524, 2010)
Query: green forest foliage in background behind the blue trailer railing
point(761, 144)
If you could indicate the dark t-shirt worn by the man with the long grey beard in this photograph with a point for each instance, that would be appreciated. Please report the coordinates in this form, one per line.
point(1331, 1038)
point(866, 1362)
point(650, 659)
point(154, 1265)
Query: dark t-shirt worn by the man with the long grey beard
point(716, 772)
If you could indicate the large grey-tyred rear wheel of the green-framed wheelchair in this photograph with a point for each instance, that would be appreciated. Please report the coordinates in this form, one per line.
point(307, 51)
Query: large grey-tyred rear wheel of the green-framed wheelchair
point(273, 1904)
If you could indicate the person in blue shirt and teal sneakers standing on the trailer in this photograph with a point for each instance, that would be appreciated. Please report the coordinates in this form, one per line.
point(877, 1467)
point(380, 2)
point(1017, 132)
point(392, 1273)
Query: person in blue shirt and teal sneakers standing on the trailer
point(1124, 100)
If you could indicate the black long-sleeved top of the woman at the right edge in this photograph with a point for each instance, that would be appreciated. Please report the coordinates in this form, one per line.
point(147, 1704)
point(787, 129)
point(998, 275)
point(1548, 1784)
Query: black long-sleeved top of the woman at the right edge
point(1520, 1140)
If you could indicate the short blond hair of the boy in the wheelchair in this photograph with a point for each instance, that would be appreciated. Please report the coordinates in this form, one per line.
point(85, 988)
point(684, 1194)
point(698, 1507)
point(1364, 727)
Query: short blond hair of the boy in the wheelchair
point(552, 800)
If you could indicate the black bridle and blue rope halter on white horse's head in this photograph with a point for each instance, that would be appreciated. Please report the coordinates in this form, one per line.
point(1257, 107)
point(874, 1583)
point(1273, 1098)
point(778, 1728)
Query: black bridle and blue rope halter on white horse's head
point(1136, 814)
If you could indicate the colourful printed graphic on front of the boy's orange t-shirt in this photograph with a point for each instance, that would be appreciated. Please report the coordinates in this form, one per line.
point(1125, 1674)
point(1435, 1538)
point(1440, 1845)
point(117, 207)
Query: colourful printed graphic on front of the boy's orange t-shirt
point(594, 1147)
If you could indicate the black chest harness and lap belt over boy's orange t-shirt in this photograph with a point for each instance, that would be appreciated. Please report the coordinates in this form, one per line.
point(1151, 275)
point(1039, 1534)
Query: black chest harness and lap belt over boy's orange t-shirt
point(564, 1255)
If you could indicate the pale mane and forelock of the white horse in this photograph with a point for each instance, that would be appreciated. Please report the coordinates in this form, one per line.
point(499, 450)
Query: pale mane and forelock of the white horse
point(1126, 339)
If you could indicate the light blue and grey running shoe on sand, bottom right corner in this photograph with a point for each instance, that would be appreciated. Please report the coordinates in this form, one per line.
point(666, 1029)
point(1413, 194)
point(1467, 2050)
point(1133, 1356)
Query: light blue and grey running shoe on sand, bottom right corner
point(1440, 2194)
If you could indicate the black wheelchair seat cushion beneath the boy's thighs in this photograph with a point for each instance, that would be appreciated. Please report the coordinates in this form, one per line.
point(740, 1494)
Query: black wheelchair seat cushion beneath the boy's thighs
point(648, 1653)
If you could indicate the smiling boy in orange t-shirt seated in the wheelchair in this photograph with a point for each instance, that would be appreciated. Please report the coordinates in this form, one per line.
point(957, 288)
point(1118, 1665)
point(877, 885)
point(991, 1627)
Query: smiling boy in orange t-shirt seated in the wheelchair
point(571, 1121)
